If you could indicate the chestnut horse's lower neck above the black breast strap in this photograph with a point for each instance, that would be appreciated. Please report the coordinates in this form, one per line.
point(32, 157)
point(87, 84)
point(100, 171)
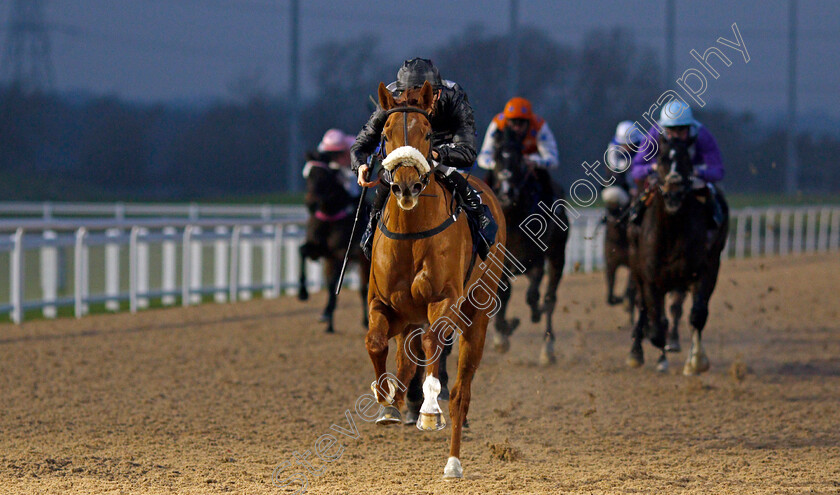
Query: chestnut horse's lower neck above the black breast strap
point(431, 210)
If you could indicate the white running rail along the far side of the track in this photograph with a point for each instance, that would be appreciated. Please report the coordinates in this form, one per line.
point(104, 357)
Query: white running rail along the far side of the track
point(122, 261)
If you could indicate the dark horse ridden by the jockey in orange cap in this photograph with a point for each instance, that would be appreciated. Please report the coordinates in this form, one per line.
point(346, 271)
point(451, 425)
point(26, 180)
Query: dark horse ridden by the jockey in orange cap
point(517, 189)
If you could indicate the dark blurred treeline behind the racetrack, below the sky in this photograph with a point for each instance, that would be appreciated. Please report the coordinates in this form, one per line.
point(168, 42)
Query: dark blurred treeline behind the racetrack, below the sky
point(58, 148)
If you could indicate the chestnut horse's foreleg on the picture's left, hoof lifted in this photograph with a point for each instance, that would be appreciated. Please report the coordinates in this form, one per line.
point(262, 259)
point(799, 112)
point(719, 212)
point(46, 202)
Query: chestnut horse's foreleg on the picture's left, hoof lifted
point(386, 385)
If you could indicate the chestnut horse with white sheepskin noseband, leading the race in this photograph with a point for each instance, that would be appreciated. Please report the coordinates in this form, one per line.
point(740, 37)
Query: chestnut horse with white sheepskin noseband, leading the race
point(422, 274)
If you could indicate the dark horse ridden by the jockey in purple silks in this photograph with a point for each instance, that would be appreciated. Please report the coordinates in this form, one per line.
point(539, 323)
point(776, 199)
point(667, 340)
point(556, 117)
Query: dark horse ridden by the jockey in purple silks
point(675, 249)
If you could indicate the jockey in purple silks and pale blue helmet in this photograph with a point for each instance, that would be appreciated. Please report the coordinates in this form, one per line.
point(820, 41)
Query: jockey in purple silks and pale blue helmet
point(678, 123)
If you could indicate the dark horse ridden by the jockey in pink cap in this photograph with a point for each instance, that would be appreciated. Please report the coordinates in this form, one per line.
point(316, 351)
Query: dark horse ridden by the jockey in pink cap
point(332, 210)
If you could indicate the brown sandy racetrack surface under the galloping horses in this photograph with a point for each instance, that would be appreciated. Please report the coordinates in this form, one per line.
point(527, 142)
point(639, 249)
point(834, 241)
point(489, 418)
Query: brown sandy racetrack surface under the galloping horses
point(211, 399)
